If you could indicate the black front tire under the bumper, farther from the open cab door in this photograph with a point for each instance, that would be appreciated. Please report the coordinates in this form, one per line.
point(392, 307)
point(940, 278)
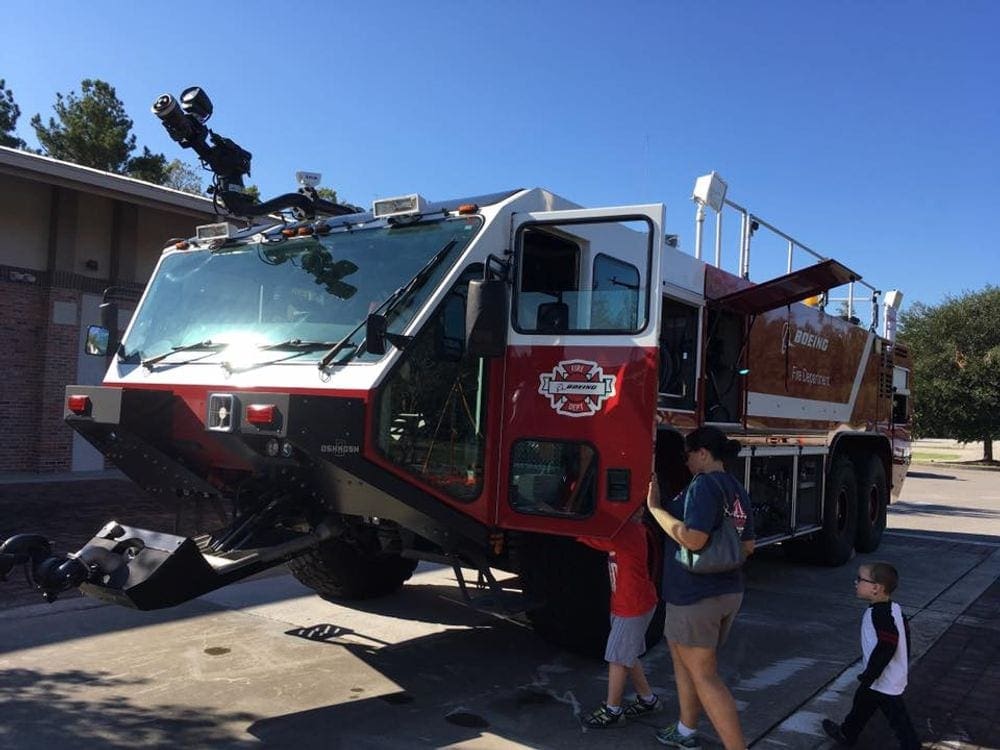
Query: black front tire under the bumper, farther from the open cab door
point(352, 566)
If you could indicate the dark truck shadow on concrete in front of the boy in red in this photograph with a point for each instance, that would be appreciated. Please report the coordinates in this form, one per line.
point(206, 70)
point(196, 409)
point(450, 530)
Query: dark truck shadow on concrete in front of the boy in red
point(445, 697)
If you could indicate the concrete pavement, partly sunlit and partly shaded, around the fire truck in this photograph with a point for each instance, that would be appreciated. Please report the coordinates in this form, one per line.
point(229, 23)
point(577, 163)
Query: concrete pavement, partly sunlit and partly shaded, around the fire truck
point(265, 663)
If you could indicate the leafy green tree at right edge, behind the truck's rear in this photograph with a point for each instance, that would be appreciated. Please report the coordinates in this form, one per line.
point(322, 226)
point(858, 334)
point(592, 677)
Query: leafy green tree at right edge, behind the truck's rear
point(955, 348)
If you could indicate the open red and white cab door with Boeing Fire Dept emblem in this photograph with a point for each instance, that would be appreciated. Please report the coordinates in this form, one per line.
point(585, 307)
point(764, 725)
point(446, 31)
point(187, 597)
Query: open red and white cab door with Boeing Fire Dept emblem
point(580, 369)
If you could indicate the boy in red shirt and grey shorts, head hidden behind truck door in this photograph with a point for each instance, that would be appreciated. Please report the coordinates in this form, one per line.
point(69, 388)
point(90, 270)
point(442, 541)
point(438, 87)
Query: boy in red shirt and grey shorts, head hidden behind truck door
point(633, 602)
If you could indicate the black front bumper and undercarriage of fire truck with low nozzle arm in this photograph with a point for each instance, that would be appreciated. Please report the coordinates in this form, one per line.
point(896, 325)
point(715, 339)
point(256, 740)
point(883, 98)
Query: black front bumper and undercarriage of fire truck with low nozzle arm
point(287, 487)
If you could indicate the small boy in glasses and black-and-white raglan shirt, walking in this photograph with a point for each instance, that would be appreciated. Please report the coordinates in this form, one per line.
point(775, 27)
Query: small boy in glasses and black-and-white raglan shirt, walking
point(885, 642)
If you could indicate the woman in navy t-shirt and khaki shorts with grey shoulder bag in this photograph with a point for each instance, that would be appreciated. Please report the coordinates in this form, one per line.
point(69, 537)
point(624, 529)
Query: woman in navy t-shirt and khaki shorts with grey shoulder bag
point(701, 607)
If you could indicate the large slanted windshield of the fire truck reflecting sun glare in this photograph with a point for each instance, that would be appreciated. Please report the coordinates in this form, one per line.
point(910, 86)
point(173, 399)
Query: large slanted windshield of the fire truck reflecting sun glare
point(308, 289)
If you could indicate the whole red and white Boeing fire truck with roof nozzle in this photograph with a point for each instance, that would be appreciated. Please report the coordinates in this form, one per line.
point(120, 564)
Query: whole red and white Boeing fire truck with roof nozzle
point(476, 382)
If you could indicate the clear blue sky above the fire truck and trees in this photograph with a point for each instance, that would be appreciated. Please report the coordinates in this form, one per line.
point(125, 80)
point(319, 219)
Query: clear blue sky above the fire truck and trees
point(867, 130)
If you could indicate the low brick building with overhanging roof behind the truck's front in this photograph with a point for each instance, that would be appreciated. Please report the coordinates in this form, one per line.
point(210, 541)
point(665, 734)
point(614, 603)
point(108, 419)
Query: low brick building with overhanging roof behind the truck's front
point(66, 233)
